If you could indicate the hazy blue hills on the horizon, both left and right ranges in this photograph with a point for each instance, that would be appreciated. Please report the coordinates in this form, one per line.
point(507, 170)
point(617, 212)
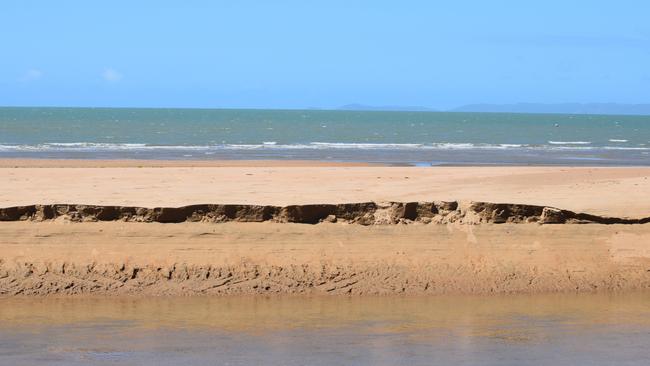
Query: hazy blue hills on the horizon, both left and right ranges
point(563, 108)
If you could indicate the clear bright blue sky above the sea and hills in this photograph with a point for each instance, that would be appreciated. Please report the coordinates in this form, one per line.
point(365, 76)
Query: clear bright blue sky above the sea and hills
point(296, 54)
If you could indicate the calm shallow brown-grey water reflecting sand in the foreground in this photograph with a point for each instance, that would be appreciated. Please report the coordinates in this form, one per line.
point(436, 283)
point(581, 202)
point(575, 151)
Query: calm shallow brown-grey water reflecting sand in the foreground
point(515, 330)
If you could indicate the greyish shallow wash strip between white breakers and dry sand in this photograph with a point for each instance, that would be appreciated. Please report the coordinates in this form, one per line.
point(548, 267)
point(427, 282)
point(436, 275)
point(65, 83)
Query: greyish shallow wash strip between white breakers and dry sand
point(465, 157)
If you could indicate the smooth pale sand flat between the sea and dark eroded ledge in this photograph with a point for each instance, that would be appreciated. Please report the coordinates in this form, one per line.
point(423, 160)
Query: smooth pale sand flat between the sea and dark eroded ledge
point(615, 192)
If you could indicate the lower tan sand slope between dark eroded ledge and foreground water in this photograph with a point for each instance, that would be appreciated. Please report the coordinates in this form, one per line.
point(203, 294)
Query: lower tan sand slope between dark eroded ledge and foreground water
point(113, 258)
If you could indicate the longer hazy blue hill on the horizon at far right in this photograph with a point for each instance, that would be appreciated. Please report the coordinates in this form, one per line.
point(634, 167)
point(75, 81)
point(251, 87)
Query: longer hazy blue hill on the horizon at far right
point(567, 108)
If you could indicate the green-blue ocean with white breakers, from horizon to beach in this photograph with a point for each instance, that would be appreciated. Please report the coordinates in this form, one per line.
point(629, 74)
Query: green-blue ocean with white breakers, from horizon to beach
point(398, 138)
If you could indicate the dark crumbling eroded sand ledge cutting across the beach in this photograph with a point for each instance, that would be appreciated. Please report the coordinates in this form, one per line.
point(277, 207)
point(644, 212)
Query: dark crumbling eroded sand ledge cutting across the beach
point(364, 213)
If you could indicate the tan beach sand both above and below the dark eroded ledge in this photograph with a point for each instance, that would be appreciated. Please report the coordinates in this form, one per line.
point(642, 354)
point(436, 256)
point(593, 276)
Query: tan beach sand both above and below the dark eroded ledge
point(59, 256)
